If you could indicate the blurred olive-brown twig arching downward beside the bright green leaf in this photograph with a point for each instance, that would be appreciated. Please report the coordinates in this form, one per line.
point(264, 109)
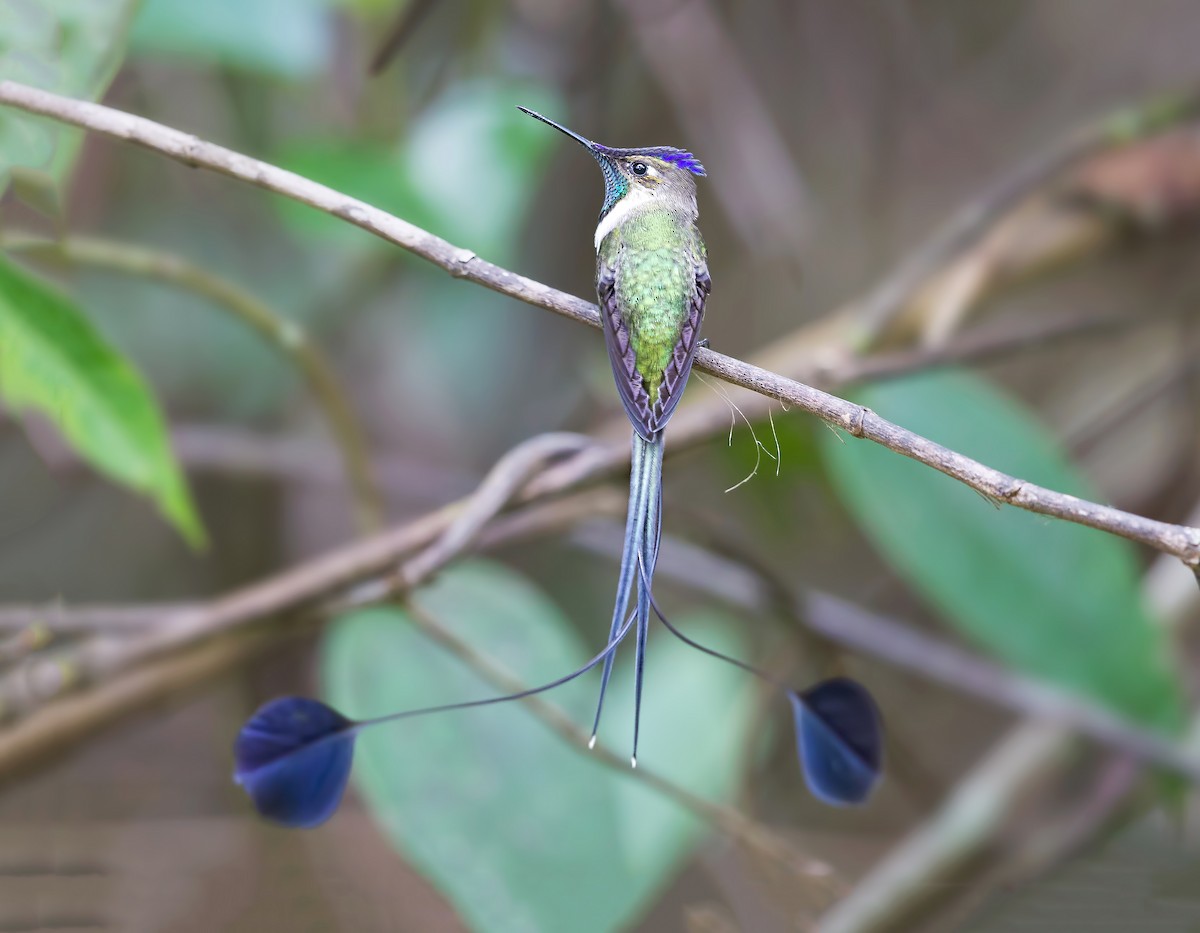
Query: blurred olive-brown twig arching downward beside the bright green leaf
point(285, 335)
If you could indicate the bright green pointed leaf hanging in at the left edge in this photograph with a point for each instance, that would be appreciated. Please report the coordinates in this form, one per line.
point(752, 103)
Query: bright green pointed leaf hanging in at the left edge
point(52, 362)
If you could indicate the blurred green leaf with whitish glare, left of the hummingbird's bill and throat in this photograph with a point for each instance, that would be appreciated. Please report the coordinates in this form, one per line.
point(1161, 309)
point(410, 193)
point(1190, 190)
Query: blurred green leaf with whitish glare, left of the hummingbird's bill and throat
point(465, 172)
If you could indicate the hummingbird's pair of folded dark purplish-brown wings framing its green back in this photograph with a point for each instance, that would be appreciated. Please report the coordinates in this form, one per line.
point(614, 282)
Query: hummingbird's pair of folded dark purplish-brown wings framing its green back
point(650, 417)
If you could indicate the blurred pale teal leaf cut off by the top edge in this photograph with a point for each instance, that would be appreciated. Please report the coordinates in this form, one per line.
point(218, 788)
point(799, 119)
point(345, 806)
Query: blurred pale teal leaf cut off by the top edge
point(287, 39)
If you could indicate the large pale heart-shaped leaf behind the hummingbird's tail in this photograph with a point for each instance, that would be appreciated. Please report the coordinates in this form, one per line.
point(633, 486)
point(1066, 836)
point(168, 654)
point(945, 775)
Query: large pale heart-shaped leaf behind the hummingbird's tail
point(520, 830)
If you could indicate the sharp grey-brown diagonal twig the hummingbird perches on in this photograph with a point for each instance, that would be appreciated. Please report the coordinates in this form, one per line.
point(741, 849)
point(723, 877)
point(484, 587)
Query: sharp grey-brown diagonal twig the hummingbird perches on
point(859, 422)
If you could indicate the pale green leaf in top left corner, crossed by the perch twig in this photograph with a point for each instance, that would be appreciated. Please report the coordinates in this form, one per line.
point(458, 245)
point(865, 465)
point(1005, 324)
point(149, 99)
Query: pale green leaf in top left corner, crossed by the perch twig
point(71, 47)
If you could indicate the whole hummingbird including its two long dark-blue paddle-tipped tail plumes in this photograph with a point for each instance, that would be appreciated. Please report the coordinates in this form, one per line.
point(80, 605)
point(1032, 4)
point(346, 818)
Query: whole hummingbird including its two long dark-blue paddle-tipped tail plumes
point(293, 757)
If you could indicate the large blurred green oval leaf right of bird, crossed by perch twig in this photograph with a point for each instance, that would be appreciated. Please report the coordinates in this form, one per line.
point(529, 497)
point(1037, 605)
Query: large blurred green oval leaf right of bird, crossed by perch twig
point(1048, 598)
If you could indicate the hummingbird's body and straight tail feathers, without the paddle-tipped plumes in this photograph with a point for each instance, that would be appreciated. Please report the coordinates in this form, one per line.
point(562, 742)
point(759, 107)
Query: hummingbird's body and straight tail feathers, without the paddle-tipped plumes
point(652, 287)
